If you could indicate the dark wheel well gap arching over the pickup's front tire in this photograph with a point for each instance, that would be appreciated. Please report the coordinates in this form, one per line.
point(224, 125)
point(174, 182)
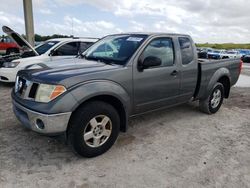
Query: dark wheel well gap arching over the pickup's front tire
point(116, 103)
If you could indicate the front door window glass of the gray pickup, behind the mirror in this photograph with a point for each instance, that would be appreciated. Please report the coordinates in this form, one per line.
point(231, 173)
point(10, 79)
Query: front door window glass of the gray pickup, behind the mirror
point(161, 48)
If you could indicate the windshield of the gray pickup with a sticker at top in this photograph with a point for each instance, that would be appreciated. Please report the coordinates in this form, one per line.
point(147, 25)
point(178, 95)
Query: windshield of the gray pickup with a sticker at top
point(115, 49)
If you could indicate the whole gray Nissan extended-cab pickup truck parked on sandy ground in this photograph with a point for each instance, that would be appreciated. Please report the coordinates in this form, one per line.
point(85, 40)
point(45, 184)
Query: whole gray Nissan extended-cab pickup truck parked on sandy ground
point(89, 99)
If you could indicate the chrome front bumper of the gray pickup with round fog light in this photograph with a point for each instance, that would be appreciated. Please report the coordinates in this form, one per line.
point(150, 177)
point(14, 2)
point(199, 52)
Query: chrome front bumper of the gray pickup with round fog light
point(48, 124)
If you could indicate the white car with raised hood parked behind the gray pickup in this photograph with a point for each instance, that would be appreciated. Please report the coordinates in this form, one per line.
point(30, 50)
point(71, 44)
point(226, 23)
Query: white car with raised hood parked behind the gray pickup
point(54, 49)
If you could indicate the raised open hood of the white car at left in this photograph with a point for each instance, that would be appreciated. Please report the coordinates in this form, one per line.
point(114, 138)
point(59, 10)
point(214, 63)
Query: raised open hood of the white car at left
point(21, 42)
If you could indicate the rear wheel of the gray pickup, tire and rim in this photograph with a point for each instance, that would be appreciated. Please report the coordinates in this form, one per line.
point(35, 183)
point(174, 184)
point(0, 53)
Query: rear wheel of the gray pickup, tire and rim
point(212, 104)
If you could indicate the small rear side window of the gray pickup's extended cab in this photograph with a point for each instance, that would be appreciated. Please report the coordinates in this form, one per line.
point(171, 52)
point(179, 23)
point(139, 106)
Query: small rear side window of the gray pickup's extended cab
point(186, 50)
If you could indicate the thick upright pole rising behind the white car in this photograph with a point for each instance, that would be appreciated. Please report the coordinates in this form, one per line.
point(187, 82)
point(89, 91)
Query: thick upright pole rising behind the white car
point(29, 24)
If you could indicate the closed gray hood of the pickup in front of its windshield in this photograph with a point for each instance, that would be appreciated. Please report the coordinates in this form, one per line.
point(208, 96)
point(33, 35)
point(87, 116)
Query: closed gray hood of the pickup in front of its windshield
point(56, 72)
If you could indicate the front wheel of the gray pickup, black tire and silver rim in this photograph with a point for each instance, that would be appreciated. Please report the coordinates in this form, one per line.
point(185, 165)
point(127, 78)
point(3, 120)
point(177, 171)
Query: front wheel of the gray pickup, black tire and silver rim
point(87, 120)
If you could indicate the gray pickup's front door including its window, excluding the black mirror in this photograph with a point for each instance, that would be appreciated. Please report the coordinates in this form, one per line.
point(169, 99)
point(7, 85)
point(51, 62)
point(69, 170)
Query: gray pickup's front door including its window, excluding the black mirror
point(157, 87)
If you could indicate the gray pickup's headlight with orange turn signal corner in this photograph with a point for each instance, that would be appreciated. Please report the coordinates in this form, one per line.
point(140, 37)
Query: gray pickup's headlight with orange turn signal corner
point(46, 93)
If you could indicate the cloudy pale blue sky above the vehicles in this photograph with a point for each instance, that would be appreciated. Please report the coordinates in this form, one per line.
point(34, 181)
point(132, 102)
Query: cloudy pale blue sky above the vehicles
point(212, 21)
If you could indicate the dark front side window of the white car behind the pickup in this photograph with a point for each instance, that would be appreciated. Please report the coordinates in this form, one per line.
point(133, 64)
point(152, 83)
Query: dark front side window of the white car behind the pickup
point(70, 48)
